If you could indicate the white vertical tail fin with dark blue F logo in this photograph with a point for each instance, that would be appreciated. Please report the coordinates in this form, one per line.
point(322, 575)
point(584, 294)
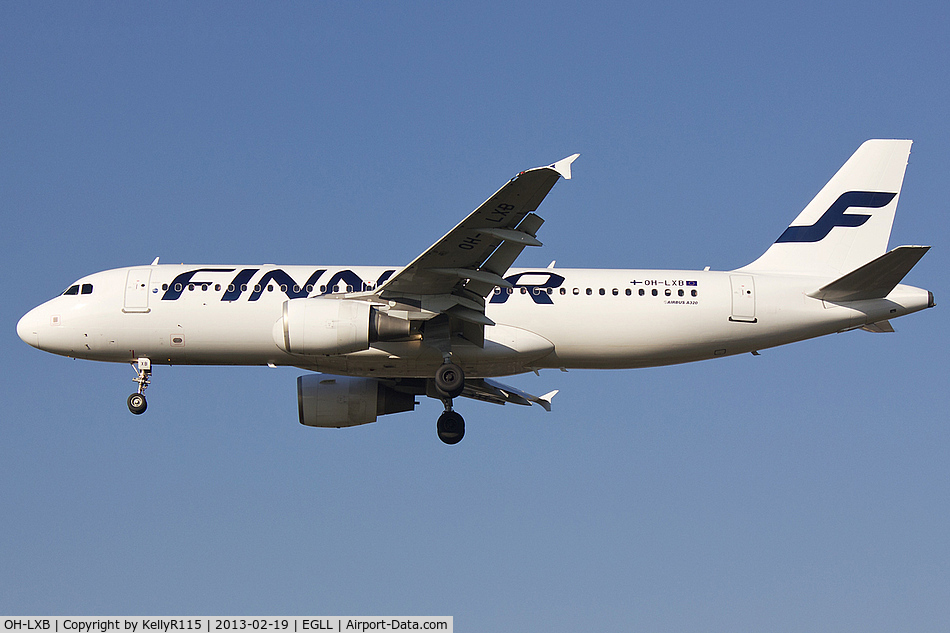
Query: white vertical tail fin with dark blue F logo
point(849, 222)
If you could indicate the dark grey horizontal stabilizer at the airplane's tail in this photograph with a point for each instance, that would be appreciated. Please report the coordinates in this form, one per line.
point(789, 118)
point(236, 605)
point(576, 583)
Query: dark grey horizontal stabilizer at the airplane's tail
point(874, 280)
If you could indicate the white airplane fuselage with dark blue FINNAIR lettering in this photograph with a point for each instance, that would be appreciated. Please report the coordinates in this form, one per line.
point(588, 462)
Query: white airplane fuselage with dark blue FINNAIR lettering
point(552, 318)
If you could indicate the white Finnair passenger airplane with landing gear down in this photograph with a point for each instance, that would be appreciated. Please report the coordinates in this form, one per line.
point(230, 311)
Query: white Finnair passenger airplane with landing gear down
point(458, 316)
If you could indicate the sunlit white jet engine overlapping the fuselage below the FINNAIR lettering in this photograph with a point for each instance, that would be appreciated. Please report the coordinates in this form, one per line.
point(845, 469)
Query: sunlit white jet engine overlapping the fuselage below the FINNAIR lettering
point(335, 326)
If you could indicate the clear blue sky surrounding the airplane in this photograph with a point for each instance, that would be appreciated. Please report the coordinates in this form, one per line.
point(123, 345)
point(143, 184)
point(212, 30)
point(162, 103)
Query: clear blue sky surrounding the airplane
point(806, 489)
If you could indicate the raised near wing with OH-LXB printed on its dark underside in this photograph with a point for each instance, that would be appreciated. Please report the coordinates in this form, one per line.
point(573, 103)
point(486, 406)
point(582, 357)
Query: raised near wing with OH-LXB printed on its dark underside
point(471, 259)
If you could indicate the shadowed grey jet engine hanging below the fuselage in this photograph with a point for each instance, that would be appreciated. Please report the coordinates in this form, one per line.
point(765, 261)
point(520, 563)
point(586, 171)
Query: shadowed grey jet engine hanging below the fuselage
point(338, 401)
